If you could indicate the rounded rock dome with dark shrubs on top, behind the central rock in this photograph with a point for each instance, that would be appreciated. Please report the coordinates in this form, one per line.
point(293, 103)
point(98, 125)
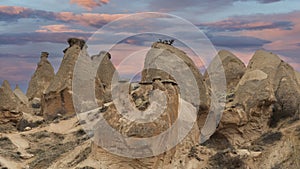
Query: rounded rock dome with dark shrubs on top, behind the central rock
point(167, 62)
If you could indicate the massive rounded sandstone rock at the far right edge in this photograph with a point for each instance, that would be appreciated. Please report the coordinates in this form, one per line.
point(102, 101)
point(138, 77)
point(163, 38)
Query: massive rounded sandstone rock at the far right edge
point(267, 93)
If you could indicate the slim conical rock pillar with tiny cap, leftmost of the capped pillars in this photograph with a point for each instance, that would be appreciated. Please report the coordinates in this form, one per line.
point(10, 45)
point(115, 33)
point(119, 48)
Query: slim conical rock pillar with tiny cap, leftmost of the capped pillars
point(41, 78)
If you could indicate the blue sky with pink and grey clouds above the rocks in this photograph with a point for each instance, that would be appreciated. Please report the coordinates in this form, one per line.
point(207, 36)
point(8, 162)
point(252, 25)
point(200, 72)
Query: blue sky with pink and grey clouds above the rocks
point(241, 26)
